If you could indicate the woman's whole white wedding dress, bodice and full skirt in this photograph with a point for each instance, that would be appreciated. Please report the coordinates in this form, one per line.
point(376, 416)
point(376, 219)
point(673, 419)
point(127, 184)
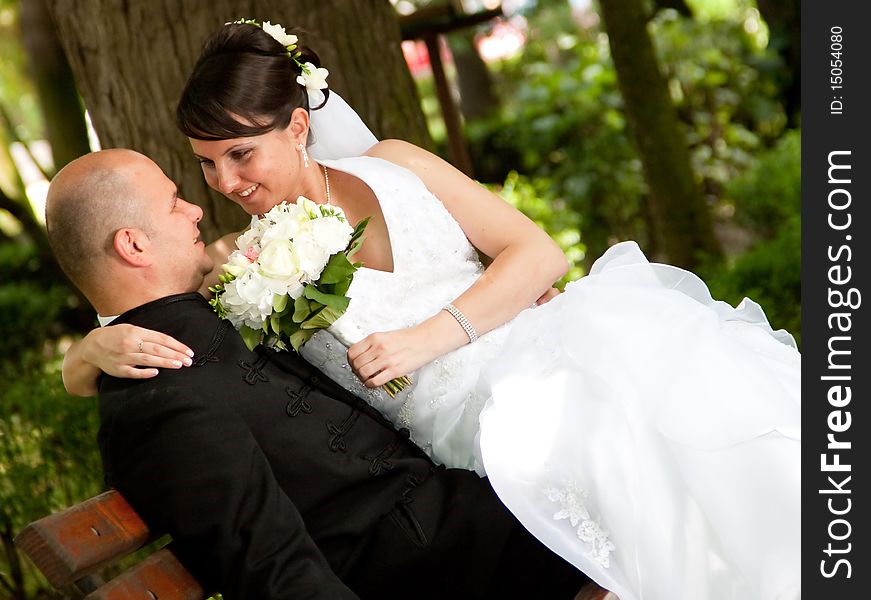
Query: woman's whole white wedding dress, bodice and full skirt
point(643, 431)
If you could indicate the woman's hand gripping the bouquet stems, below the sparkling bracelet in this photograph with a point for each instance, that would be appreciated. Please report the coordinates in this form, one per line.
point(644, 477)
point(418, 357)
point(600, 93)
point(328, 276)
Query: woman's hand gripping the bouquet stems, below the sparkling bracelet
point(382, 356)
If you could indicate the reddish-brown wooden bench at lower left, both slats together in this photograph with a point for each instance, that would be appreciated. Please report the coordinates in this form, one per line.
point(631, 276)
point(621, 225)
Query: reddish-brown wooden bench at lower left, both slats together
point(71, 546)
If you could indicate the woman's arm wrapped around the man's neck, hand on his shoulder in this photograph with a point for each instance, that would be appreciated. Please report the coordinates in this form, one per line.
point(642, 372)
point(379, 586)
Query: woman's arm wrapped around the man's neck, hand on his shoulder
point(122, 350)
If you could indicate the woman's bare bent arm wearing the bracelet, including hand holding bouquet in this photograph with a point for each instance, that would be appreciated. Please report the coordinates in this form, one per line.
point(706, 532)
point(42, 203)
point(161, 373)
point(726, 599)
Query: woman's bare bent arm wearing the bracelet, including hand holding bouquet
point(525, 264)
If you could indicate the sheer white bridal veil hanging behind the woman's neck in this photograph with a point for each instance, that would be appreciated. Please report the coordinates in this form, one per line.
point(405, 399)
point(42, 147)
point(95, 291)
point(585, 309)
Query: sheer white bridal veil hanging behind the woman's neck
point(337, 130)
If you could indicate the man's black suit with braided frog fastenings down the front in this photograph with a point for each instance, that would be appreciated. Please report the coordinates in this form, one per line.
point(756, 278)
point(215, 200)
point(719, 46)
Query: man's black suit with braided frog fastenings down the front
point(277, 483)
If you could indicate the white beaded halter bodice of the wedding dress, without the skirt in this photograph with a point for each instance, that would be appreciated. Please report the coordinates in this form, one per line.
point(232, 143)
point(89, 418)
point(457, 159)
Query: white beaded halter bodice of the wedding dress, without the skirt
point(433, 264)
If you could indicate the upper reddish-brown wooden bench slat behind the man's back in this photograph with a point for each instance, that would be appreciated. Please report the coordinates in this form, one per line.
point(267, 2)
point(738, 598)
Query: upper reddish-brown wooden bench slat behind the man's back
point(73, 543)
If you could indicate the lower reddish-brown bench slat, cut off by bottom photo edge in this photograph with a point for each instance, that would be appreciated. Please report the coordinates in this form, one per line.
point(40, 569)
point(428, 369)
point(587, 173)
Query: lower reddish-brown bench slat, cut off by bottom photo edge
point(159, 577)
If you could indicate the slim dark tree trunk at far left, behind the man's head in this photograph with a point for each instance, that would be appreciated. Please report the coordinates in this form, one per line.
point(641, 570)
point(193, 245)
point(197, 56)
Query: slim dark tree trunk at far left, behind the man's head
point(64, 116)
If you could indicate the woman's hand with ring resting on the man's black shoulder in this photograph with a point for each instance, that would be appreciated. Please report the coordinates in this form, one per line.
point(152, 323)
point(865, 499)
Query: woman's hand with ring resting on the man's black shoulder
point(120, 351)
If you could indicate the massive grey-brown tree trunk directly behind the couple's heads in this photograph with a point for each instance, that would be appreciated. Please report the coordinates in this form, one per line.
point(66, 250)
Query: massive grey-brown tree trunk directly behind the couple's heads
point(132, 58)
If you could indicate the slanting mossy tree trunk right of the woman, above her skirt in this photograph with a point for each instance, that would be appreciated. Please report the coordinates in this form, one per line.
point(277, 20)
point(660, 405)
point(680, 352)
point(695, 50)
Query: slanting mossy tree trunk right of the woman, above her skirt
point(683, 228)
